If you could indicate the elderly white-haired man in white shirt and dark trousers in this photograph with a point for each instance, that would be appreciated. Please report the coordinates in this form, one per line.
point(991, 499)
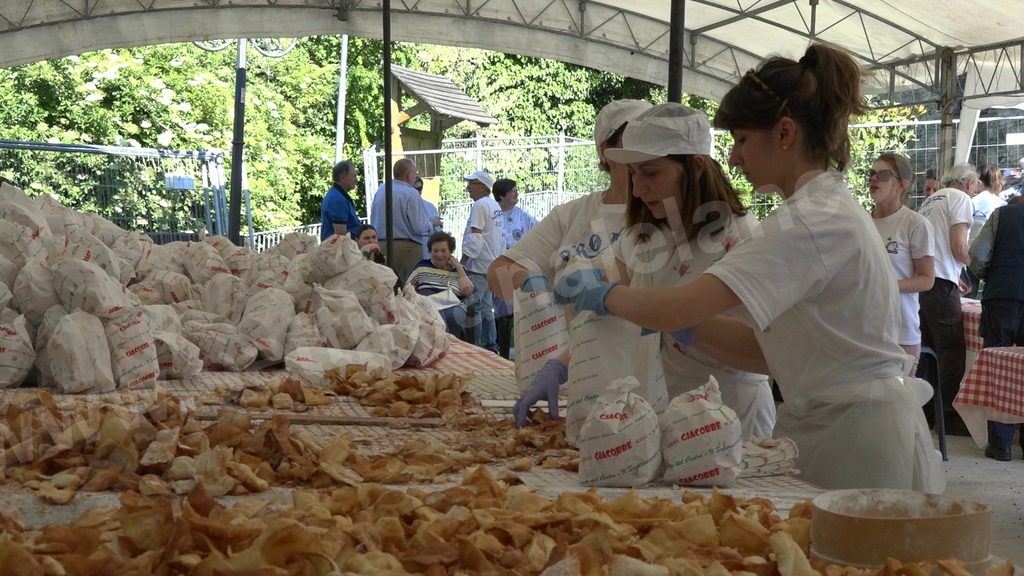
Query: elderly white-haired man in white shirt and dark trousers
point(951, 215)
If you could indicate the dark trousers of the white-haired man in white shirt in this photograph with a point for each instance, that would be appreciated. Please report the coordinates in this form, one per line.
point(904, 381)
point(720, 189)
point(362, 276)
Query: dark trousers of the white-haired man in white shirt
point(943, 331)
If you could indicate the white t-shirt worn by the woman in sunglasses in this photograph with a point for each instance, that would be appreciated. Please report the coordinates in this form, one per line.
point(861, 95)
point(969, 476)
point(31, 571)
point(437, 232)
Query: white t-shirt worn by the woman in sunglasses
point(907, 237)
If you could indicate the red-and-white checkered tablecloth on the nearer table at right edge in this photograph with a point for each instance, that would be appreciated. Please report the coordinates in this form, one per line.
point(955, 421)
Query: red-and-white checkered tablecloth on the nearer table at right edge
point(994, 390)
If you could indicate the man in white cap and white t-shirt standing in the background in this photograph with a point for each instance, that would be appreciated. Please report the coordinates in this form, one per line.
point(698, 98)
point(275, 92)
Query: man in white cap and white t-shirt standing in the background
point(482, 244)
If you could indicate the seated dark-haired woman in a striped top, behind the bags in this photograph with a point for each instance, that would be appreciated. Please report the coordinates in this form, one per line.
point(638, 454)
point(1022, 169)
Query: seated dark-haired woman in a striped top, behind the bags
point(442, 279)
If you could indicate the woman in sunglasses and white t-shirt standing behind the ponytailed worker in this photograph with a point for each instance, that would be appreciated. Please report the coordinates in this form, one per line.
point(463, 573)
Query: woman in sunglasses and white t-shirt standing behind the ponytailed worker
point(908, 239)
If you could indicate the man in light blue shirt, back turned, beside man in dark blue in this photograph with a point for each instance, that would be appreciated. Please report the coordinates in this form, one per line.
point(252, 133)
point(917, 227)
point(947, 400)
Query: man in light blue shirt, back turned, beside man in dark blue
point(410, 220)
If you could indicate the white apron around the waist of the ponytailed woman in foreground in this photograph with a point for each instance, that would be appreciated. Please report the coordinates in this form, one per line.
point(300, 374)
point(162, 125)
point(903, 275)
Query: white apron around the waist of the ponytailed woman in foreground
point(865, 435)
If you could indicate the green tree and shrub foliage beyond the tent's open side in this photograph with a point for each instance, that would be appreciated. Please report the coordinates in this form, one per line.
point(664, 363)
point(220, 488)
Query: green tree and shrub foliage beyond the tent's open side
point(180, 97)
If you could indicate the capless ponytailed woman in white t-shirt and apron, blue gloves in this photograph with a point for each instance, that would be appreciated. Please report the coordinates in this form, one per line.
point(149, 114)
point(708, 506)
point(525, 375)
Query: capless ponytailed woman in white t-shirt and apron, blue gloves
point(816, 281)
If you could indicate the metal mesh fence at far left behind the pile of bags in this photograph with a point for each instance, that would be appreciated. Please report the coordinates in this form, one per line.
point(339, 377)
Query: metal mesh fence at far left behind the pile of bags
point(172, 195)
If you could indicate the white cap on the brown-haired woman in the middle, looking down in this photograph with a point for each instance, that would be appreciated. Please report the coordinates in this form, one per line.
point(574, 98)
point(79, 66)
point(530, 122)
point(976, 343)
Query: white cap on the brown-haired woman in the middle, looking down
point(665, 130)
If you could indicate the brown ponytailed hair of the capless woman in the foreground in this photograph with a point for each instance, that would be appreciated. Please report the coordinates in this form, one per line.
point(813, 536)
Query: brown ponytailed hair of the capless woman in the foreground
point(820, 93)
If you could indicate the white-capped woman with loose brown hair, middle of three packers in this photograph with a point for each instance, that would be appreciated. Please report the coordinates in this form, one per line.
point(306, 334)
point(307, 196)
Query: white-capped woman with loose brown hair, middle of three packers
point(682, 217)
